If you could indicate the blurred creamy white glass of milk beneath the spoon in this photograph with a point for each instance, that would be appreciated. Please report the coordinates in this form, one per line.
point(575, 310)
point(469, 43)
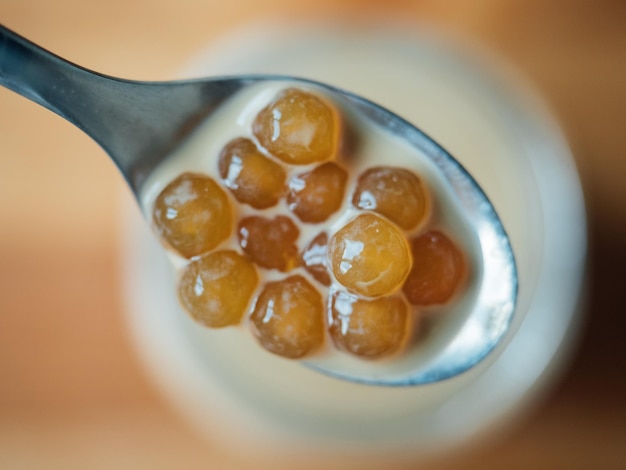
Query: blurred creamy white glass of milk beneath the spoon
point(501, 134)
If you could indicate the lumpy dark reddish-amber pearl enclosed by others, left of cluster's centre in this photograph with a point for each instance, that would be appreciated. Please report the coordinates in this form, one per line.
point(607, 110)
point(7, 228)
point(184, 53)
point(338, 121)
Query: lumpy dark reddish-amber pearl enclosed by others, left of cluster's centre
point(270, 243)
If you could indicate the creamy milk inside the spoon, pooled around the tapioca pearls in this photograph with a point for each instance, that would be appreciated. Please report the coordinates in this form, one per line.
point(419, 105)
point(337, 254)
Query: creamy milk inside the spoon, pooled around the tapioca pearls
point(234, 119)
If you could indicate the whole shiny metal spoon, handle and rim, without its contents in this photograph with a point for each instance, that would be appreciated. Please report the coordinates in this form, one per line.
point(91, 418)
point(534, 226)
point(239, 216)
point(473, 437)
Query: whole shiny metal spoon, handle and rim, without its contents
point(140, 123)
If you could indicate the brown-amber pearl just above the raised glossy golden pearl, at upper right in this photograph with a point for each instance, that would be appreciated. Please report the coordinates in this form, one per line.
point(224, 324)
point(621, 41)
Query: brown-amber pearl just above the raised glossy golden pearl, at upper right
point(395, 193)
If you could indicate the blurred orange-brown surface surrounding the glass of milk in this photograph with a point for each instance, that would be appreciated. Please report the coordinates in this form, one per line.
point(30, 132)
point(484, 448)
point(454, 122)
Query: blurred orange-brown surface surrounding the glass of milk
point(72, 392)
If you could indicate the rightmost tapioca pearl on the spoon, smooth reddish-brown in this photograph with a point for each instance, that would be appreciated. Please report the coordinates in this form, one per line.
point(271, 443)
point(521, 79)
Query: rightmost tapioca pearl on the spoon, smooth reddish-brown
point(438, 269)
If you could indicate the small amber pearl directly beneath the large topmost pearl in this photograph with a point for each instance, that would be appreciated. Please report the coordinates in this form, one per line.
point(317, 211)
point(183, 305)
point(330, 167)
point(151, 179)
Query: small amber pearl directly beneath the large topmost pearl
point(317, 194)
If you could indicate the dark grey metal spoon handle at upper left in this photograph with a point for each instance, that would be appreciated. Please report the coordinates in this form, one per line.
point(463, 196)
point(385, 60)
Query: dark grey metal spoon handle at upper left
point(136, 123)
